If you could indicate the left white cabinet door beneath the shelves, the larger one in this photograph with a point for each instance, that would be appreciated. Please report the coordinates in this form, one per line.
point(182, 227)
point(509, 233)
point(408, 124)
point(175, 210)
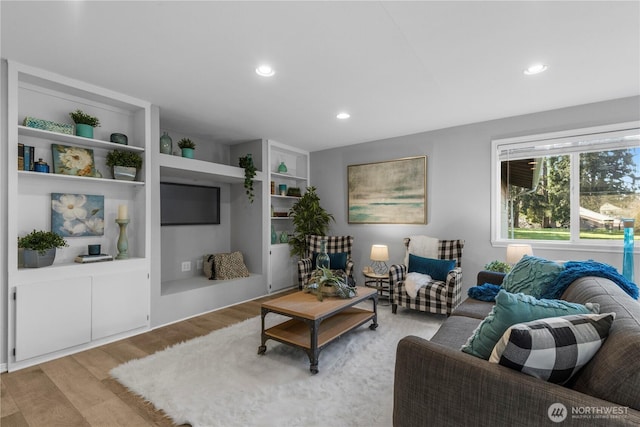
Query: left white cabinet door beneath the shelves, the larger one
point(52, 315)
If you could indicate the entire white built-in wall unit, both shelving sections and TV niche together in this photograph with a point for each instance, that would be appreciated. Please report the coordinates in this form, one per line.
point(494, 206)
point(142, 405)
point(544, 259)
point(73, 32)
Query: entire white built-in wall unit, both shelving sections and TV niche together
point(68, 307)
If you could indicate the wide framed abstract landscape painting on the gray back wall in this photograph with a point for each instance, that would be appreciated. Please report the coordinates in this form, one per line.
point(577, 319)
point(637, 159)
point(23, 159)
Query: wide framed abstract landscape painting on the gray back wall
point(389, 192)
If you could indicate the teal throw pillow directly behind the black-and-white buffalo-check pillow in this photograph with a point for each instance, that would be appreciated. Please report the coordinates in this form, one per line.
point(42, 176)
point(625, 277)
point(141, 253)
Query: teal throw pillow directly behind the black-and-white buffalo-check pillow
point(518, 308)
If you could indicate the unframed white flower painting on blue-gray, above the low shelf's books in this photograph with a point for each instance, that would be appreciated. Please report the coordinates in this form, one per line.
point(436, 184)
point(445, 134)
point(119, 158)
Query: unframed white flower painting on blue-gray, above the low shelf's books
point(77, 215)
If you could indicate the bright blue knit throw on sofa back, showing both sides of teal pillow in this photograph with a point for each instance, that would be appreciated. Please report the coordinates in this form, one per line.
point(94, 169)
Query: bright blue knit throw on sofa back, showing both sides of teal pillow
point(572, 270)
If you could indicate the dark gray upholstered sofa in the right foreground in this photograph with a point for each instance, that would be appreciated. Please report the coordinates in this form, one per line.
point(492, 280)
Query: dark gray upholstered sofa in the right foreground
point(436, 384)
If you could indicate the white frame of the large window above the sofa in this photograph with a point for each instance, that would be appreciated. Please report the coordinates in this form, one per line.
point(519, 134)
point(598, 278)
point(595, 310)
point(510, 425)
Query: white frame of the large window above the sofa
point(526, 143)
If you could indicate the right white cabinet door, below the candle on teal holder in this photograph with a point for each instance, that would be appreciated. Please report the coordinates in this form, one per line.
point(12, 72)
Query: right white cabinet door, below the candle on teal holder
point(120, 303)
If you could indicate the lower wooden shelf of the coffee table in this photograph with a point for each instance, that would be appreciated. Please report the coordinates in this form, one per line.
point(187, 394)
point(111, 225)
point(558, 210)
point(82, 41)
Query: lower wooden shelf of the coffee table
point(297, 332)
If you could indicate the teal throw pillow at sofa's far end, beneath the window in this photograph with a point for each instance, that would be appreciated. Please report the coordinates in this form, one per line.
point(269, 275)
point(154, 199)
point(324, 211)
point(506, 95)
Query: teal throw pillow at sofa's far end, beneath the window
point(531, 275)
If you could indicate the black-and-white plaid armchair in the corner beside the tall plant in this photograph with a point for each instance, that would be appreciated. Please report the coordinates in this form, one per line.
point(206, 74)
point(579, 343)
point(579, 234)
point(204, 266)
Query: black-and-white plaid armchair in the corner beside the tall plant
point(335, 245)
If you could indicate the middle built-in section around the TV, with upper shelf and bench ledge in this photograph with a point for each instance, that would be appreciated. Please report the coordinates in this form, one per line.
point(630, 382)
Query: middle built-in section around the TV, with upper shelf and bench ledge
point(176, 295)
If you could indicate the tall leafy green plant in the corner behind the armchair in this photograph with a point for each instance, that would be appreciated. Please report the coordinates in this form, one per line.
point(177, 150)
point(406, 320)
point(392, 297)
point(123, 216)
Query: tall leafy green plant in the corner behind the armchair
point(308, 218)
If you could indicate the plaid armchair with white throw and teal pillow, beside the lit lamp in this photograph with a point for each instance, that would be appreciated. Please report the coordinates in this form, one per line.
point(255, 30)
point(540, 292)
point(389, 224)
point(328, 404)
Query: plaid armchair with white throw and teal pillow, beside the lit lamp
point(439, 297)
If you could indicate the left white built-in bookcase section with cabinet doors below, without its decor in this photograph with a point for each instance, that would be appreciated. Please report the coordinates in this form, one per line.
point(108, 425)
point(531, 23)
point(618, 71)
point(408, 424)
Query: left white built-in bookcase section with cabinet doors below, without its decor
point(68, 307)
